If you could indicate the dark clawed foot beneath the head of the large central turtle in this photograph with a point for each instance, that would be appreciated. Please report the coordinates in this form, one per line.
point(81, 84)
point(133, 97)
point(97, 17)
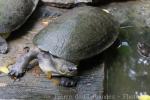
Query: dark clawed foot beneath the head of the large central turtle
point(68, 82)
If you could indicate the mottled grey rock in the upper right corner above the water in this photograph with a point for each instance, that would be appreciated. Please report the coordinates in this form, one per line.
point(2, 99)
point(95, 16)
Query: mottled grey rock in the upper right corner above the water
point(131, 13)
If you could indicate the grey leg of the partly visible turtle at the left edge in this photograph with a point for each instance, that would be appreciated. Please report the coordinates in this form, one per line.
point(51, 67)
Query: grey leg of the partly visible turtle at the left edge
point(3, 46)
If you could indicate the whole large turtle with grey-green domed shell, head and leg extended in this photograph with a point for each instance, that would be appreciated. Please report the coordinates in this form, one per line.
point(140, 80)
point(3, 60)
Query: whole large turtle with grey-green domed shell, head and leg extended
point(81, 33)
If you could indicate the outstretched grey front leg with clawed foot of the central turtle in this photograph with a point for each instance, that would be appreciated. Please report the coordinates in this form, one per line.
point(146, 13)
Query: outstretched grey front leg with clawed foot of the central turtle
point(18, 69)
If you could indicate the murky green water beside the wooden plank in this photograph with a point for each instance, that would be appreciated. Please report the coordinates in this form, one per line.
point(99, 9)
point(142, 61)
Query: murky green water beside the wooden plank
point(128, 67)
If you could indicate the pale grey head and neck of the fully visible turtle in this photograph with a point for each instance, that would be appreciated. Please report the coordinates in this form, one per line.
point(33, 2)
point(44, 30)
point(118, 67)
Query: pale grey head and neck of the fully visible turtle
point(56, 66)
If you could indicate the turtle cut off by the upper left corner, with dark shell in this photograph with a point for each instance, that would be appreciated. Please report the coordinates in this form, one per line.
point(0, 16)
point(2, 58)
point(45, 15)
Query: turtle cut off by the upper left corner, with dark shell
point(13, 14)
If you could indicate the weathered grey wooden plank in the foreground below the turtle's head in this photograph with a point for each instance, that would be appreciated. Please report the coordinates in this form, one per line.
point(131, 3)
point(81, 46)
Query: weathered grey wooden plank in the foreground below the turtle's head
point(31, 87)
